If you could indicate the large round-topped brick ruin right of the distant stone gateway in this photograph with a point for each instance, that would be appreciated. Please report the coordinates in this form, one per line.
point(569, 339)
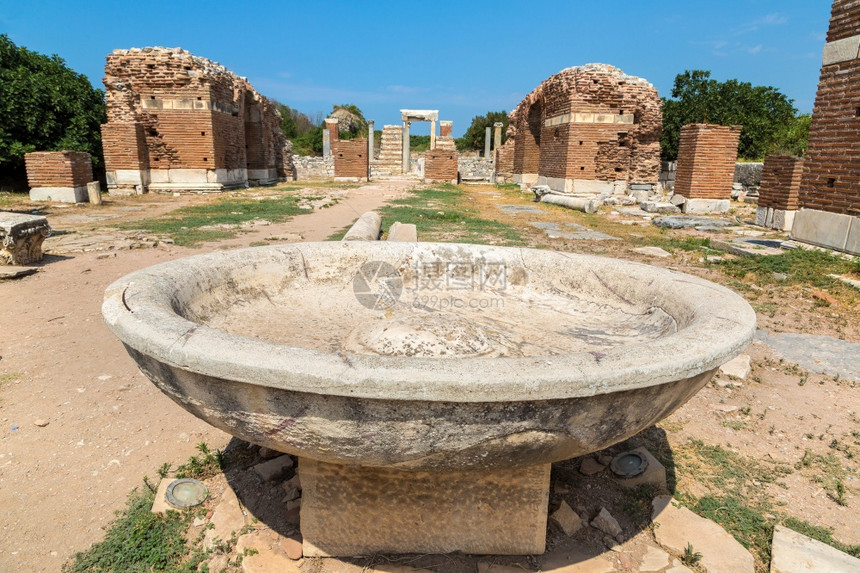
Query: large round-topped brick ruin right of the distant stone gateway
point(585, 129)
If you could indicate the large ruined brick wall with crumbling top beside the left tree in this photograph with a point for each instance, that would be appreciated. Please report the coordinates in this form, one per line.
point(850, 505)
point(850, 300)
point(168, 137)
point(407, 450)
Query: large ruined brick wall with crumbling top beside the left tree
point(180, 122)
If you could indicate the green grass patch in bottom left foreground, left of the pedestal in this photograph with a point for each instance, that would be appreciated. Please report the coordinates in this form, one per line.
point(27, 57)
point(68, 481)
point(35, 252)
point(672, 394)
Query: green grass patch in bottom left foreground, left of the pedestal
point(139, 541)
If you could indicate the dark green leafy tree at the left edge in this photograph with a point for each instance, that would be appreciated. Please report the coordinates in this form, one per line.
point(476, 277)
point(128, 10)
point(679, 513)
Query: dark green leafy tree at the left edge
point(44, 106)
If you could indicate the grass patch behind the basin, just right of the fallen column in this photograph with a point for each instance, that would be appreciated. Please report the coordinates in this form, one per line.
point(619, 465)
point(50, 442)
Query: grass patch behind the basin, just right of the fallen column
point(443, 213)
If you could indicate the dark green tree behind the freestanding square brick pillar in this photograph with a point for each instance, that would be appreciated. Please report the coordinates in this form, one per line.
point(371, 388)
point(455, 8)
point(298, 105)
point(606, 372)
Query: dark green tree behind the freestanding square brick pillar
point(765, 113)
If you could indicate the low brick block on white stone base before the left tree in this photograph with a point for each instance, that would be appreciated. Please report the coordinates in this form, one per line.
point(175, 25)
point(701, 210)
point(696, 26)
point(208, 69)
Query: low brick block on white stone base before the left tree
point(59, 175)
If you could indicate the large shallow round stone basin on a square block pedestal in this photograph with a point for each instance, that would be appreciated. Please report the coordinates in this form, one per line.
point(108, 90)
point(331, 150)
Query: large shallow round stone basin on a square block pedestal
point(425, 359)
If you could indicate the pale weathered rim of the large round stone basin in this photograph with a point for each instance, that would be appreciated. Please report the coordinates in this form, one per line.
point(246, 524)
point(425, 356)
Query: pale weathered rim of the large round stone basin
point(140, 309)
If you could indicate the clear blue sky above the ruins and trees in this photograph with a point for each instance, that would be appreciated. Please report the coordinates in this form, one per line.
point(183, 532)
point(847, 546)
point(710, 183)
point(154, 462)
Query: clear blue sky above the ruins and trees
point(464, 58)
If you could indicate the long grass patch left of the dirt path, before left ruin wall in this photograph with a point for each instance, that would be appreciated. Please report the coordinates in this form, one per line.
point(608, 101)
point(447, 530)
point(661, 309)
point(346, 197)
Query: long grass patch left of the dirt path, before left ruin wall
point(221, 219)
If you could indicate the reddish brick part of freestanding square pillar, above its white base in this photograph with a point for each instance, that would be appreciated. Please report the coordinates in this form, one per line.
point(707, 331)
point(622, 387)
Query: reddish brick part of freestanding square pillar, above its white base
point(706, 161)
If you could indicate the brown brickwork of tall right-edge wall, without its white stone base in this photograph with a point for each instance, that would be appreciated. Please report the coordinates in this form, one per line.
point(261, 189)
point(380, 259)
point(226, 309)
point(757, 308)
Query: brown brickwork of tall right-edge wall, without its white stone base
point(831, 178)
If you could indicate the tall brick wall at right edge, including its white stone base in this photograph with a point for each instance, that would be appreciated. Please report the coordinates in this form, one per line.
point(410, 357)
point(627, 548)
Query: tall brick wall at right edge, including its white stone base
point(830, 187)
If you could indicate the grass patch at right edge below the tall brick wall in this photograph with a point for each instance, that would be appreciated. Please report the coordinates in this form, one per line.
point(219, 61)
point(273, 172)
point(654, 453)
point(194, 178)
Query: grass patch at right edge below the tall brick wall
point(800, 266)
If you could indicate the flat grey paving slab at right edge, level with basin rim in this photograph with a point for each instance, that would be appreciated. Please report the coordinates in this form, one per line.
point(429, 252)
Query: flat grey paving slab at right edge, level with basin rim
point(820, 354)
